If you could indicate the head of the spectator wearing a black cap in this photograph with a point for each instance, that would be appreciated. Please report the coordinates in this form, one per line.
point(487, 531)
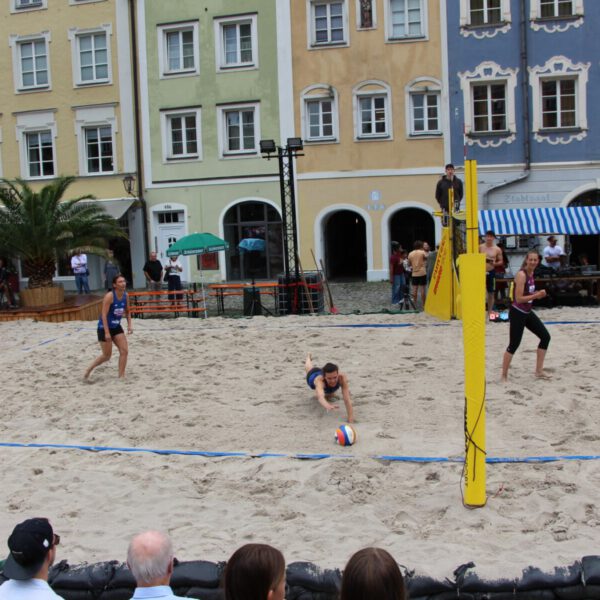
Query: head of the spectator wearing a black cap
point(32, 546)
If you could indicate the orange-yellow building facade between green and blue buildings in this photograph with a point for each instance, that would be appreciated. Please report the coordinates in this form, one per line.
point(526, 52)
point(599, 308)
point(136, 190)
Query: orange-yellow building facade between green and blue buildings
point(369, 100)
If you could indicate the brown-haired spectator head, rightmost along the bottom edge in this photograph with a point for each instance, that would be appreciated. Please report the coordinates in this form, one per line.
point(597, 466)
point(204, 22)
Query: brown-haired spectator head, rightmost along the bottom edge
point(372, 573)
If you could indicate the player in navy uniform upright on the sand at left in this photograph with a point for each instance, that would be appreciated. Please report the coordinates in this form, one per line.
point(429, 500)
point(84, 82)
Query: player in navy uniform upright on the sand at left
point(114, 307)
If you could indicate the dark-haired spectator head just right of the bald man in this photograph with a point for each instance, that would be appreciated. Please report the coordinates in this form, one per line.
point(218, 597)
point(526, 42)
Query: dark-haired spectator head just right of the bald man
point(252, 571)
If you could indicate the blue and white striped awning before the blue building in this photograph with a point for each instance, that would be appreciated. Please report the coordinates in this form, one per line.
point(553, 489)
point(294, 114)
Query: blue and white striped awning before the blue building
point(579, 220)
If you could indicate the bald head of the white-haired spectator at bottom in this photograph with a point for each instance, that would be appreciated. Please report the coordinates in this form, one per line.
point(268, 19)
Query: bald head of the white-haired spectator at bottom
point(150, 558)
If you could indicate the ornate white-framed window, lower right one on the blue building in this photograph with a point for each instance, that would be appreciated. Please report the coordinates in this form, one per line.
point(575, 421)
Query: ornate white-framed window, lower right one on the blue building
point(558, 97)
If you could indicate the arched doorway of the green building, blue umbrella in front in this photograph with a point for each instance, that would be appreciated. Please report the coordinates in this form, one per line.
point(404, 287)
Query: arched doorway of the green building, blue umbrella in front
point(254, 232)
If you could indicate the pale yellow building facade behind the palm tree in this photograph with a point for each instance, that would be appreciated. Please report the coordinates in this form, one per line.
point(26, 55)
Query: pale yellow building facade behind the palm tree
point(67, 107)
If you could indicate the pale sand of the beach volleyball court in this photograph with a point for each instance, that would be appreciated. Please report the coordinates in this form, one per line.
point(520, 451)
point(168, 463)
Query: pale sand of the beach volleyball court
point(238, 385)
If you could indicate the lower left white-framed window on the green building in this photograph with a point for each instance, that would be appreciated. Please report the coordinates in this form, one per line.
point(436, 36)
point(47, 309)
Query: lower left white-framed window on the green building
point(181, 134)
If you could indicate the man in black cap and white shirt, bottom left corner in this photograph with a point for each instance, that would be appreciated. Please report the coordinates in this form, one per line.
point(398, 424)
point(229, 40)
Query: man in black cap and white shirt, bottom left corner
point(32, 546)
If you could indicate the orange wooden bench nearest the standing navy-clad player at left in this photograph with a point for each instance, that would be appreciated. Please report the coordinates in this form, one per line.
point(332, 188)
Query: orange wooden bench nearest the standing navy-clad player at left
point(163, 302)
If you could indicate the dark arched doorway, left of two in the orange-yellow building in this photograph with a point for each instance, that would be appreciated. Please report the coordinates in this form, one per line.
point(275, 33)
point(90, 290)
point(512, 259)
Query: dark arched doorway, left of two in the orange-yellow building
point(346, 246)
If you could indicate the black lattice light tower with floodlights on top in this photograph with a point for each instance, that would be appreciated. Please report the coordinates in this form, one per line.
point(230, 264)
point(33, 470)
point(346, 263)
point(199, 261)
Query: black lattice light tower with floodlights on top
point(285, 156)
